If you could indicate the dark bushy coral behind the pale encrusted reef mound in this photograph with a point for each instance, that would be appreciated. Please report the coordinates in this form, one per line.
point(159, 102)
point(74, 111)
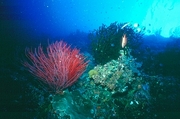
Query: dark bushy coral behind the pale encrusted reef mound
point(107, 41)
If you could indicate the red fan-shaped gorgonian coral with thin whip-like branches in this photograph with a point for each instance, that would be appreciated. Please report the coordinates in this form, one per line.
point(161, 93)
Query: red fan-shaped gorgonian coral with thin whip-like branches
point(59, 67)
